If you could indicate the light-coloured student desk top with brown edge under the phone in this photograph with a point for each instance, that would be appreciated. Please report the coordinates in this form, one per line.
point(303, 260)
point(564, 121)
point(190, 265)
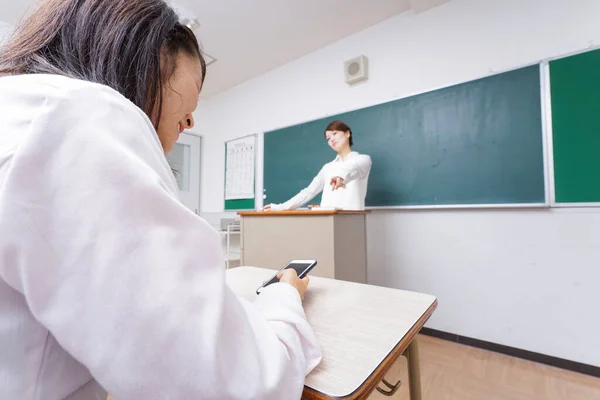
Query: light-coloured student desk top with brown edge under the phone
point(362, 329)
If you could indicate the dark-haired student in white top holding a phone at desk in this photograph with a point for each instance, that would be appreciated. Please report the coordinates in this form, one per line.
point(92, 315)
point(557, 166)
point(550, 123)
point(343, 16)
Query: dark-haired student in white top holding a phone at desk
point(107, 281)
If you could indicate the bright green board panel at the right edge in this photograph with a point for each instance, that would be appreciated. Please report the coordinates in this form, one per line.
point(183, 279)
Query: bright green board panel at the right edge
point(575, 94)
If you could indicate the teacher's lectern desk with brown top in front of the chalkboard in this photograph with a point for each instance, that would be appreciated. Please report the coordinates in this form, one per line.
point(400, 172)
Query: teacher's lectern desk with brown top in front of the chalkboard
point(336, 239)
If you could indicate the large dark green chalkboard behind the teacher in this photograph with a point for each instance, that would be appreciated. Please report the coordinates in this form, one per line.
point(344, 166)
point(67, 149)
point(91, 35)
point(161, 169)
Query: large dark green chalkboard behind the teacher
point(476, 143)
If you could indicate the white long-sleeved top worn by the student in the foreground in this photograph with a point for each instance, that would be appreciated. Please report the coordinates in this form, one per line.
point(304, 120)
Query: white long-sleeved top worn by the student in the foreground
point(107, 282)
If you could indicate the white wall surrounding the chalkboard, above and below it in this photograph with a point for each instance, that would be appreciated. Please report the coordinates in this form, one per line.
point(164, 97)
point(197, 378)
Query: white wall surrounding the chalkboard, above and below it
point(522, 278)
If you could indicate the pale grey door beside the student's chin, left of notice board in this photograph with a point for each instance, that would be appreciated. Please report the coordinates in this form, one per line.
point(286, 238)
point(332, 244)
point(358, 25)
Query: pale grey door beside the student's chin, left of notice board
point(184, 159)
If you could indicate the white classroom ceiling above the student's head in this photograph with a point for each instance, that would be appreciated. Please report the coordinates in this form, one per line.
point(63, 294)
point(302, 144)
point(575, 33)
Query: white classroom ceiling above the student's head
point(250, 38)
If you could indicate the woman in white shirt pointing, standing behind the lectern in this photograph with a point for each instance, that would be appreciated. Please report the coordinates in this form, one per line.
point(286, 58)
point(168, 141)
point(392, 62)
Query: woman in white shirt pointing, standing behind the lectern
point(343, 181)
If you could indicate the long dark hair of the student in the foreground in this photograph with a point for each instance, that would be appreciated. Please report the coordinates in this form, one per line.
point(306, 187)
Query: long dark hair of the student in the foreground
point(128, 45)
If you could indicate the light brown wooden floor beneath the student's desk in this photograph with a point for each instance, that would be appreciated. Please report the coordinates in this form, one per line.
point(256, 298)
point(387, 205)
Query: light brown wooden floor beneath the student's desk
point(450, 371)
